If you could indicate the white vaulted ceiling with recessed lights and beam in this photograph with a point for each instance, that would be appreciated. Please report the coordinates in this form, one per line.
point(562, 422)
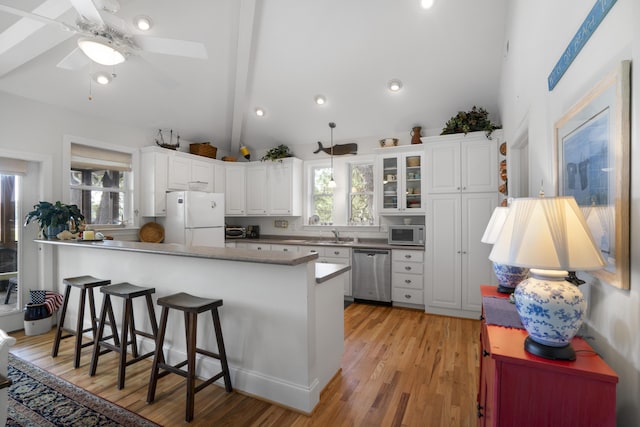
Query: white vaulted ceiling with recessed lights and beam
point(273, 54)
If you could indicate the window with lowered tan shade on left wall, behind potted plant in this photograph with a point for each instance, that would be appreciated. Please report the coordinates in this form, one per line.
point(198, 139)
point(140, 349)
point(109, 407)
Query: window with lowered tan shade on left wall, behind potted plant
point(100, 182)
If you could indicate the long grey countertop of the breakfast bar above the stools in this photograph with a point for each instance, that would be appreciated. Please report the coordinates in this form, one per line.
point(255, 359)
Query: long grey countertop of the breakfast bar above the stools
point(228, 254)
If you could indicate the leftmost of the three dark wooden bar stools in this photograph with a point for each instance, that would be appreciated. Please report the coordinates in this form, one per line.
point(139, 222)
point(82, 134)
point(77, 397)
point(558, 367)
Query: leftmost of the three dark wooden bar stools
point(86, 285)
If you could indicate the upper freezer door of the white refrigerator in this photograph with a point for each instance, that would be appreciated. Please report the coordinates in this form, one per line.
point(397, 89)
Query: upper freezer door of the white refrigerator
point(203, 210)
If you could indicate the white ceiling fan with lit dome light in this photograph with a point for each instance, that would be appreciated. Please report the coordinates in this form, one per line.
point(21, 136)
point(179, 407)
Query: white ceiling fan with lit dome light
point(105, 38)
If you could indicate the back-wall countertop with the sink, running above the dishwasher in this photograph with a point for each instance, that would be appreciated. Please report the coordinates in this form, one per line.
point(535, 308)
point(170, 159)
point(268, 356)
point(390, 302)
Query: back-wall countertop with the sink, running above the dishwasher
point(311, 241)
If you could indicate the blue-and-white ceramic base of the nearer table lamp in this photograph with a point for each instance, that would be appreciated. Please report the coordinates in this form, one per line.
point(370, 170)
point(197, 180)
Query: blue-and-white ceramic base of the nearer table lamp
point(552, 311)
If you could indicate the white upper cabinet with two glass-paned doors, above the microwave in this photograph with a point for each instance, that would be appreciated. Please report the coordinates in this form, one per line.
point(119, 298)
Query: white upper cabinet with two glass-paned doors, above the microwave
point(401, 175)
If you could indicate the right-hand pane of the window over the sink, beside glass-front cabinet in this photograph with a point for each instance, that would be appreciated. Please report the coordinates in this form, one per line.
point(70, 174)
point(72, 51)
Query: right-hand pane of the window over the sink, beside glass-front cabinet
point(361, 194)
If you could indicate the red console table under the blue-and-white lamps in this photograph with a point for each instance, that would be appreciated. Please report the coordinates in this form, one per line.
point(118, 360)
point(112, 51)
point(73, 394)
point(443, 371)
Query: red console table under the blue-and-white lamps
point(520, 389)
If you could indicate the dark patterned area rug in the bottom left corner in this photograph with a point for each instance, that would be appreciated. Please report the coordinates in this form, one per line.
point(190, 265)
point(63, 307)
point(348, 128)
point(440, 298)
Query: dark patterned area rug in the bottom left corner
point(38, 398)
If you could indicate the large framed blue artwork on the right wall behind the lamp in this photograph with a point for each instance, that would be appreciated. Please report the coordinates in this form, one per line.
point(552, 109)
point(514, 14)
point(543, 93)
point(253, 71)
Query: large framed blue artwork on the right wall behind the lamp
point(592, 165)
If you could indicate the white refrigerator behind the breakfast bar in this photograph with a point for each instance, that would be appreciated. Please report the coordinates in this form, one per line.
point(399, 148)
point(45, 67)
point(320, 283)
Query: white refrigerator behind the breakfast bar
point(195, 218)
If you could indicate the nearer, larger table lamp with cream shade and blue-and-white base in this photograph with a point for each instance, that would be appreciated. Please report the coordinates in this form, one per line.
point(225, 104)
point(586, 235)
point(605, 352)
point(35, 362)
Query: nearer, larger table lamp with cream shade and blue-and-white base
point(550, 237)
